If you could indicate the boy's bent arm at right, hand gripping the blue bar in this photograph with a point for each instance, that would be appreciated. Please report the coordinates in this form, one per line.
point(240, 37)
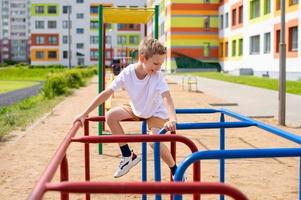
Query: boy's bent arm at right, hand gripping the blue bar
point(171, 124)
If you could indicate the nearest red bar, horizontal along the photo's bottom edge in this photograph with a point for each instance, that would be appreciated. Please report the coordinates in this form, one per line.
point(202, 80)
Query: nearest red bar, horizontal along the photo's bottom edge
point(150, 187)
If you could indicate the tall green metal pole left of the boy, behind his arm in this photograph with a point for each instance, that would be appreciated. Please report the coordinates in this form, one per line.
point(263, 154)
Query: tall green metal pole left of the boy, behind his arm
point(100, 69)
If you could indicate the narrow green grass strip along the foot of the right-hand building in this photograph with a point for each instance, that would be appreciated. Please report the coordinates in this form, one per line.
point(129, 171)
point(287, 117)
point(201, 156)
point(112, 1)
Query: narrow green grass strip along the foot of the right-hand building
point(292, 87)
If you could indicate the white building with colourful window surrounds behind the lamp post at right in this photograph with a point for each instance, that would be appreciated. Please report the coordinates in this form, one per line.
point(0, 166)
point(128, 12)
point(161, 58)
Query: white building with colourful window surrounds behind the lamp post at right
point(249, 36)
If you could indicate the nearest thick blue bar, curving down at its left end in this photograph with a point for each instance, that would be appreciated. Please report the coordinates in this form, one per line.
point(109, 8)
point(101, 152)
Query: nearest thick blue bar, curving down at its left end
point(233, 154)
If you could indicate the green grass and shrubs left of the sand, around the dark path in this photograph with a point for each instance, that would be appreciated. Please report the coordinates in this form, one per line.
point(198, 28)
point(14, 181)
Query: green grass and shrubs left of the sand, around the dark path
point(21, 114)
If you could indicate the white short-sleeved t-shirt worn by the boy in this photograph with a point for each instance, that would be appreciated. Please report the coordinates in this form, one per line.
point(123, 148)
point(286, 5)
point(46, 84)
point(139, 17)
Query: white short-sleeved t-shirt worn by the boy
point(145, 95)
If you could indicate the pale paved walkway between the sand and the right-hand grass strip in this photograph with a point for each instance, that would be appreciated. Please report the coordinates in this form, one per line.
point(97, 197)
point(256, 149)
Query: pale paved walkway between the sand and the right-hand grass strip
point(251, 101)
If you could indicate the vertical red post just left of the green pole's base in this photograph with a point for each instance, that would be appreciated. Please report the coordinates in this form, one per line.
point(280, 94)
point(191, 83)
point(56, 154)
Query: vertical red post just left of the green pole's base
point(87, 156)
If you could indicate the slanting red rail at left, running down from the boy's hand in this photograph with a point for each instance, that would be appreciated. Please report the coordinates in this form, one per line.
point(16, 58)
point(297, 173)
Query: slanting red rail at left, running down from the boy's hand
point(49, 172)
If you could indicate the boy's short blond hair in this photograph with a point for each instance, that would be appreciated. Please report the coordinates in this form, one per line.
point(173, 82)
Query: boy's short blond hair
point(149, 47)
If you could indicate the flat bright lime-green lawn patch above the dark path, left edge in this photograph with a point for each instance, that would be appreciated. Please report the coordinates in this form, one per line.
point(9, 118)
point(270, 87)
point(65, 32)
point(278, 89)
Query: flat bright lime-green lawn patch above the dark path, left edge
point(6, 86)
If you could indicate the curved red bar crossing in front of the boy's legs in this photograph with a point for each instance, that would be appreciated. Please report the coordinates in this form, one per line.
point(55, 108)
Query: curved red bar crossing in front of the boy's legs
point(144, 138)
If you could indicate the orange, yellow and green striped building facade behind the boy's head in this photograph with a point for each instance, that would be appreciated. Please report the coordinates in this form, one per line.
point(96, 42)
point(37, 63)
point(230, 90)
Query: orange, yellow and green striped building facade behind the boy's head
point(189, 29)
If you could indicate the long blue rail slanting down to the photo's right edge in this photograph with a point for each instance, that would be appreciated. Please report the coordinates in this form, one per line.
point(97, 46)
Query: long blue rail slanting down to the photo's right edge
point(266, 127)
